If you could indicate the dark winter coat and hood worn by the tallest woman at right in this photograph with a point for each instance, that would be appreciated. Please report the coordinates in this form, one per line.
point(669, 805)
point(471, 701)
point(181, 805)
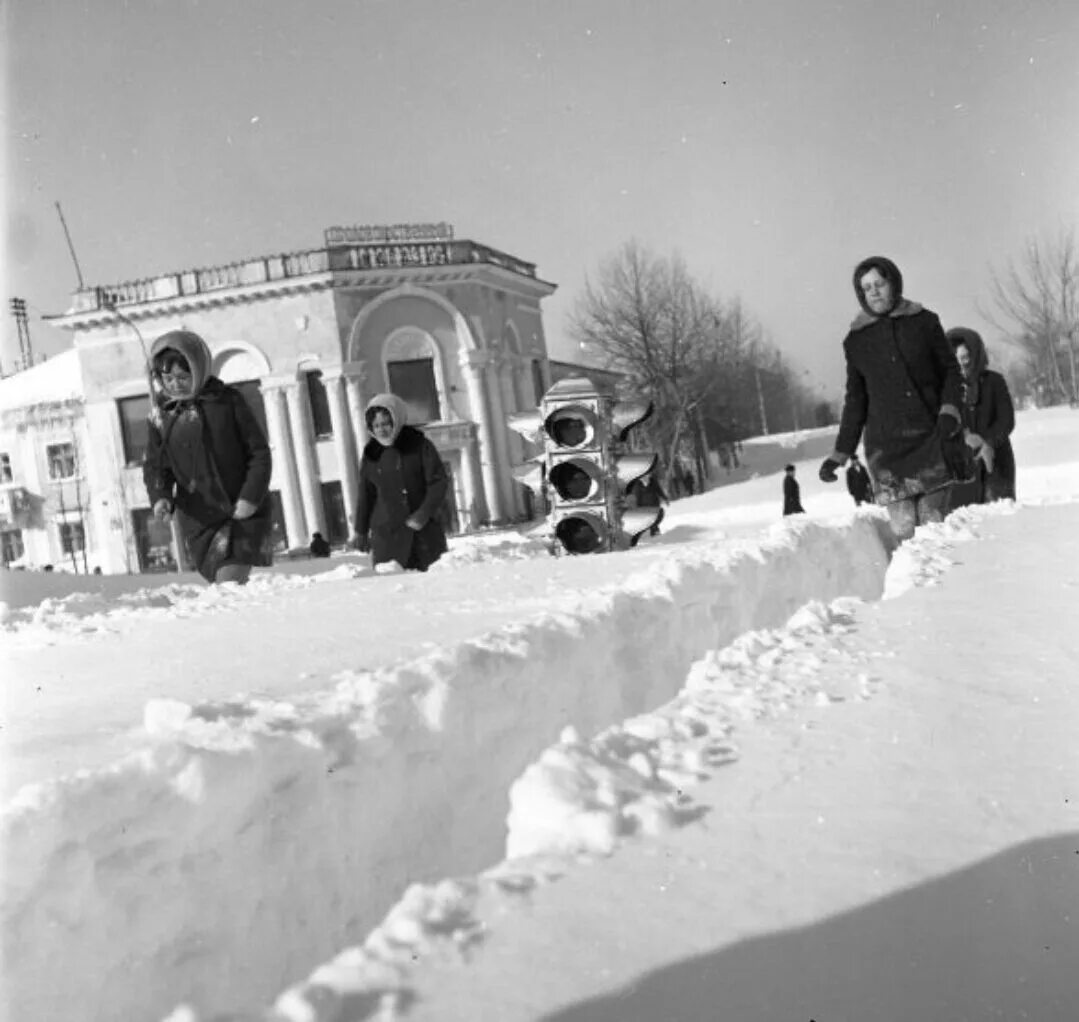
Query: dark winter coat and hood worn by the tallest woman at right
point(902, 377)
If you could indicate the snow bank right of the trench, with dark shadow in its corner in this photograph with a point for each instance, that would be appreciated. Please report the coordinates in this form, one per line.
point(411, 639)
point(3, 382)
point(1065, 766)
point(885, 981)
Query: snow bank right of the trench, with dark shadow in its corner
point(899, 841)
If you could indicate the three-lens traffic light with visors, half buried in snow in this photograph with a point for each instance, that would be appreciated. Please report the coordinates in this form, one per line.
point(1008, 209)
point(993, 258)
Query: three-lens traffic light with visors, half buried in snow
point(586, 469)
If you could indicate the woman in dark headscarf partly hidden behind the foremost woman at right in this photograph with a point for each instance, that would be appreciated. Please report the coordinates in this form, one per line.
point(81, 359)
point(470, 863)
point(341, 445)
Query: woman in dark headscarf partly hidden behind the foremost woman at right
point(989, 419)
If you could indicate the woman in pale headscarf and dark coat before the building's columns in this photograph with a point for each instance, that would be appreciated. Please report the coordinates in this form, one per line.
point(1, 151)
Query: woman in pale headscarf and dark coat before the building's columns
point(402, 488)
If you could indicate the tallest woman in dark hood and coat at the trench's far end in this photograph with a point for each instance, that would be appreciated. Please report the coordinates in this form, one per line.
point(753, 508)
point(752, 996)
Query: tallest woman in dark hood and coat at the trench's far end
point(904, 391)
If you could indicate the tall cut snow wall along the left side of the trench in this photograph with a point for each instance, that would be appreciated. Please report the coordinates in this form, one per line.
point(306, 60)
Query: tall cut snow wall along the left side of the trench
point(298, 825)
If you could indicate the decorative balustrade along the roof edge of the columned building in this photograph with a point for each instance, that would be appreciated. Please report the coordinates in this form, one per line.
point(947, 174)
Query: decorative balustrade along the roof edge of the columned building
point(295, 266)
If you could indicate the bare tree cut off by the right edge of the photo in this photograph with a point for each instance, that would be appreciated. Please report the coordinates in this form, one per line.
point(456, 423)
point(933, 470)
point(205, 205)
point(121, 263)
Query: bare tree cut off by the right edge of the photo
point(1037, 305)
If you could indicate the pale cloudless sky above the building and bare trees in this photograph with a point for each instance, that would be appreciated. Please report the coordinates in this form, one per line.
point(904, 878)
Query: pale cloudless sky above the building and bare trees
point(773, 145)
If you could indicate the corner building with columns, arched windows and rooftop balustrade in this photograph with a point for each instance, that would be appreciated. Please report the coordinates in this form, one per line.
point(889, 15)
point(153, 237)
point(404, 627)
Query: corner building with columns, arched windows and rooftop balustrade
point(453, 328)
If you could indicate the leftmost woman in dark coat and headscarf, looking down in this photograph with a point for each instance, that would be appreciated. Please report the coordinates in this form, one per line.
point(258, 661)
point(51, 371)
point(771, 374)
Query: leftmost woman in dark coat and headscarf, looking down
point(208, 460)
